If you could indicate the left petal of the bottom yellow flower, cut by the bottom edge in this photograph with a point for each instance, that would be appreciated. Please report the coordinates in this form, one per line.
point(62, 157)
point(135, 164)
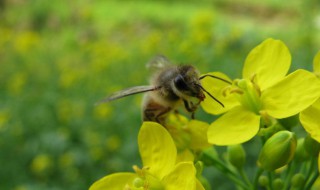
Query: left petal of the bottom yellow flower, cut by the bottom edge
point(115, 181)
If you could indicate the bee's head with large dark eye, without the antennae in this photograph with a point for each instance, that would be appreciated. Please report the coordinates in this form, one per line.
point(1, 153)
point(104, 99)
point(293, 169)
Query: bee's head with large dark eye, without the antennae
point(187, 83)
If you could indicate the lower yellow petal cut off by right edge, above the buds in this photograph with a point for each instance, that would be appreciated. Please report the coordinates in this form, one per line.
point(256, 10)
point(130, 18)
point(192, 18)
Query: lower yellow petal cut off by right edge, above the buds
point(311, 121)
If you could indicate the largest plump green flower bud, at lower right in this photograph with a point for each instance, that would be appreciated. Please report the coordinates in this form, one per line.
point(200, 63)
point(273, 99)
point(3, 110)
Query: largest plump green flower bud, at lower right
point(278, 150)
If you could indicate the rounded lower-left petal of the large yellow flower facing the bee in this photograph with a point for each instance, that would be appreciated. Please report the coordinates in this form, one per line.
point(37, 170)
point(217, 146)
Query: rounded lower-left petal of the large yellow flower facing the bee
point(235, 127)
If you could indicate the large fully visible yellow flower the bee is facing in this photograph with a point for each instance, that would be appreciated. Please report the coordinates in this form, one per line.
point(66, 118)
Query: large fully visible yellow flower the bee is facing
point(265, 92)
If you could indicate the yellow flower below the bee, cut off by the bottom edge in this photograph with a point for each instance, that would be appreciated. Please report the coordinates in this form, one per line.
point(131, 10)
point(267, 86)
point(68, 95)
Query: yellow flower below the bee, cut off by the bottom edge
point(160, 170)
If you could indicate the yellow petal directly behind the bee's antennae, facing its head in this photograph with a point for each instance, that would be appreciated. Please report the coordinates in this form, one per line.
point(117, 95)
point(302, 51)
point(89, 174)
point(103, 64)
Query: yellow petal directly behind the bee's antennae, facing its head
point(217, 89)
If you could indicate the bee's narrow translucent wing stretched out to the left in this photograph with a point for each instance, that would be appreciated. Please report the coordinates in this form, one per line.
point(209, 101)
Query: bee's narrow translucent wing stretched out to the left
point(128, 92)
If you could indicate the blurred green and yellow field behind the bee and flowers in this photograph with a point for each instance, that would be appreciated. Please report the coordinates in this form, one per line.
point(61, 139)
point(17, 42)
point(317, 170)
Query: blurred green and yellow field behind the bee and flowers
point(57, 58)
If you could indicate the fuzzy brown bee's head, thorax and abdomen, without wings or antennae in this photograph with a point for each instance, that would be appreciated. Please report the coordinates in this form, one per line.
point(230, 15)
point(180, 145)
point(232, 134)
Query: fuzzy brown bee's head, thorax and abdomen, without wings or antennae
point(177, 85)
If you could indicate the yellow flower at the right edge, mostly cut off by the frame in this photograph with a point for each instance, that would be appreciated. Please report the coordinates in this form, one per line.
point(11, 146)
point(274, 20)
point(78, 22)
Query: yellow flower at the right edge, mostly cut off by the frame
point(310, 117)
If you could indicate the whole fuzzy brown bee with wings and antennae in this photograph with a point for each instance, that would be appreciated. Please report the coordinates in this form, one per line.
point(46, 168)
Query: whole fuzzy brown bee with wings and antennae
point(169, 87)
